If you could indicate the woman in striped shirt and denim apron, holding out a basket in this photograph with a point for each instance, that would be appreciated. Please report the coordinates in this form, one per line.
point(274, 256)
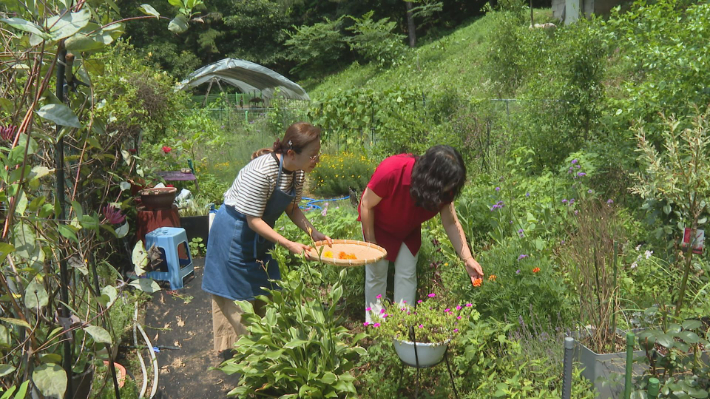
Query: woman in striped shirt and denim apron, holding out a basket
point(238, 263)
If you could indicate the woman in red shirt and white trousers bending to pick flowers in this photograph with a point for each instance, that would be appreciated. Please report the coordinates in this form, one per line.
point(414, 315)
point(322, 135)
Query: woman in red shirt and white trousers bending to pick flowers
point(404, 192)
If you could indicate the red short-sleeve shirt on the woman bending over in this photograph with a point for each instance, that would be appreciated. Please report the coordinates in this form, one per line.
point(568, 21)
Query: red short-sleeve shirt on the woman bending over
point(397, 219)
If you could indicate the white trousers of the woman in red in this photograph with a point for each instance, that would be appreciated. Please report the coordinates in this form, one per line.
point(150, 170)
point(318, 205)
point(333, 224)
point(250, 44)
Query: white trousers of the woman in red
point(405, 281)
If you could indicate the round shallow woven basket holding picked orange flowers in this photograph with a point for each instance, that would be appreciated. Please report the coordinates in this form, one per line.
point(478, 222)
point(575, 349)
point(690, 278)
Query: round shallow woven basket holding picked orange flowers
point(365, 252)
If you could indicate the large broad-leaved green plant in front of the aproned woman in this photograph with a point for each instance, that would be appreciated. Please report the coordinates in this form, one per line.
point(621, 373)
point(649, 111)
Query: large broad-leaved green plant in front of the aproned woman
point(279, 358)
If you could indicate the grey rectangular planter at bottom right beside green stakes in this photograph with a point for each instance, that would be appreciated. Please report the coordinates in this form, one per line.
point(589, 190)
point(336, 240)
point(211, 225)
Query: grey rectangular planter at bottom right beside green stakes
point(601, 368)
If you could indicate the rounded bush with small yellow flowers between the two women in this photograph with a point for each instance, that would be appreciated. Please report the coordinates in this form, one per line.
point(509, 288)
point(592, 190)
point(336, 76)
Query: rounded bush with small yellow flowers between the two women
point(340, 173)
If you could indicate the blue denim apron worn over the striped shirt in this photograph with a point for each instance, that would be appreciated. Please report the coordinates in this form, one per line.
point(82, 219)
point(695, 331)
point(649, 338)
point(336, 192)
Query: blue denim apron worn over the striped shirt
point(237, 264)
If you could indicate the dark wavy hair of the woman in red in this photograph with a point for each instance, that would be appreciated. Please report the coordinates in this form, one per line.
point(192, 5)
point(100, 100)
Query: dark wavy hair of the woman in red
point(437, 177)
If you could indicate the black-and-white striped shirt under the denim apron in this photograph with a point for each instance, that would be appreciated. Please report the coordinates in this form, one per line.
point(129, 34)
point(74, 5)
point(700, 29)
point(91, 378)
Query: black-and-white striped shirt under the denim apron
point(256, 182)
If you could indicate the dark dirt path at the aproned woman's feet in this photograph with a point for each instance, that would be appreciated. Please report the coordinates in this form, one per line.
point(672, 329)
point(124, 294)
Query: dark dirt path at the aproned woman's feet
point(183, 319)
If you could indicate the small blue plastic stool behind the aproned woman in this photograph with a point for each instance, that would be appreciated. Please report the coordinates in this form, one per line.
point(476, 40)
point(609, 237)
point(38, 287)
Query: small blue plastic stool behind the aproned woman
point(169, 239)
